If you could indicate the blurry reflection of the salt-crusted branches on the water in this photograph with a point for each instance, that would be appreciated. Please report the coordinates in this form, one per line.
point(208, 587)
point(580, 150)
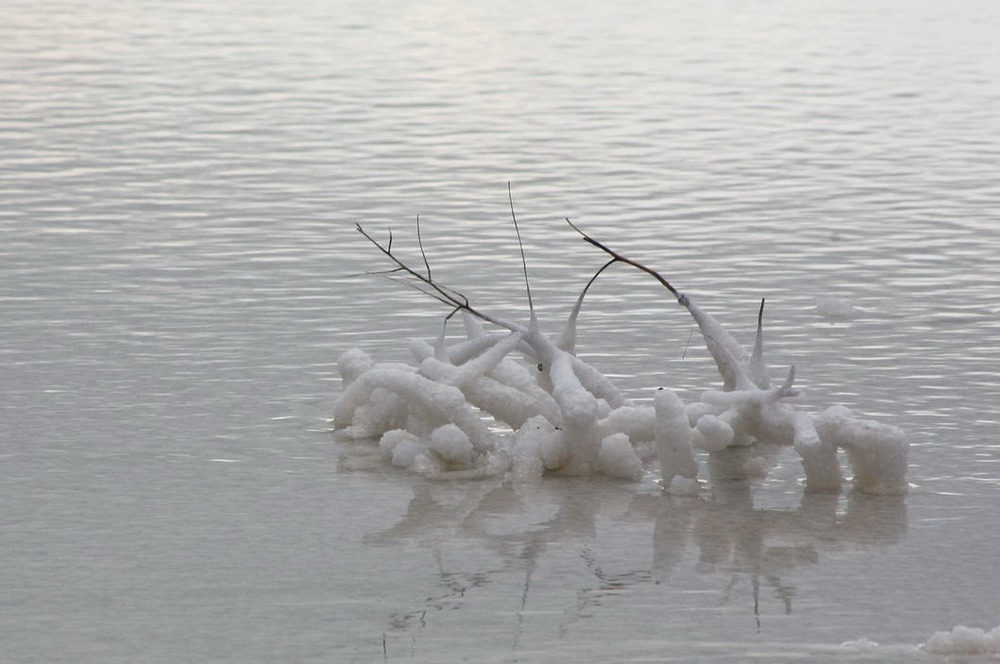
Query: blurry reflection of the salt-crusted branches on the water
point(721, 535)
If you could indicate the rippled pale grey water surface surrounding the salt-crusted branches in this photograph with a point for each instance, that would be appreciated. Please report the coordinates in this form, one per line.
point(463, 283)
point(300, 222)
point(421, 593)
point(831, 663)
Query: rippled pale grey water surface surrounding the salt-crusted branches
point(178, 186)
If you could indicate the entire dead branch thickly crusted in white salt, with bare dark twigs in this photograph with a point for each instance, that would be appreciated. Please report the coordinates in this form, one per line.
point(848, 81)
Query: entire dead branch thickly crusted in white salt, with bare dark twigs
point(469, 409)
